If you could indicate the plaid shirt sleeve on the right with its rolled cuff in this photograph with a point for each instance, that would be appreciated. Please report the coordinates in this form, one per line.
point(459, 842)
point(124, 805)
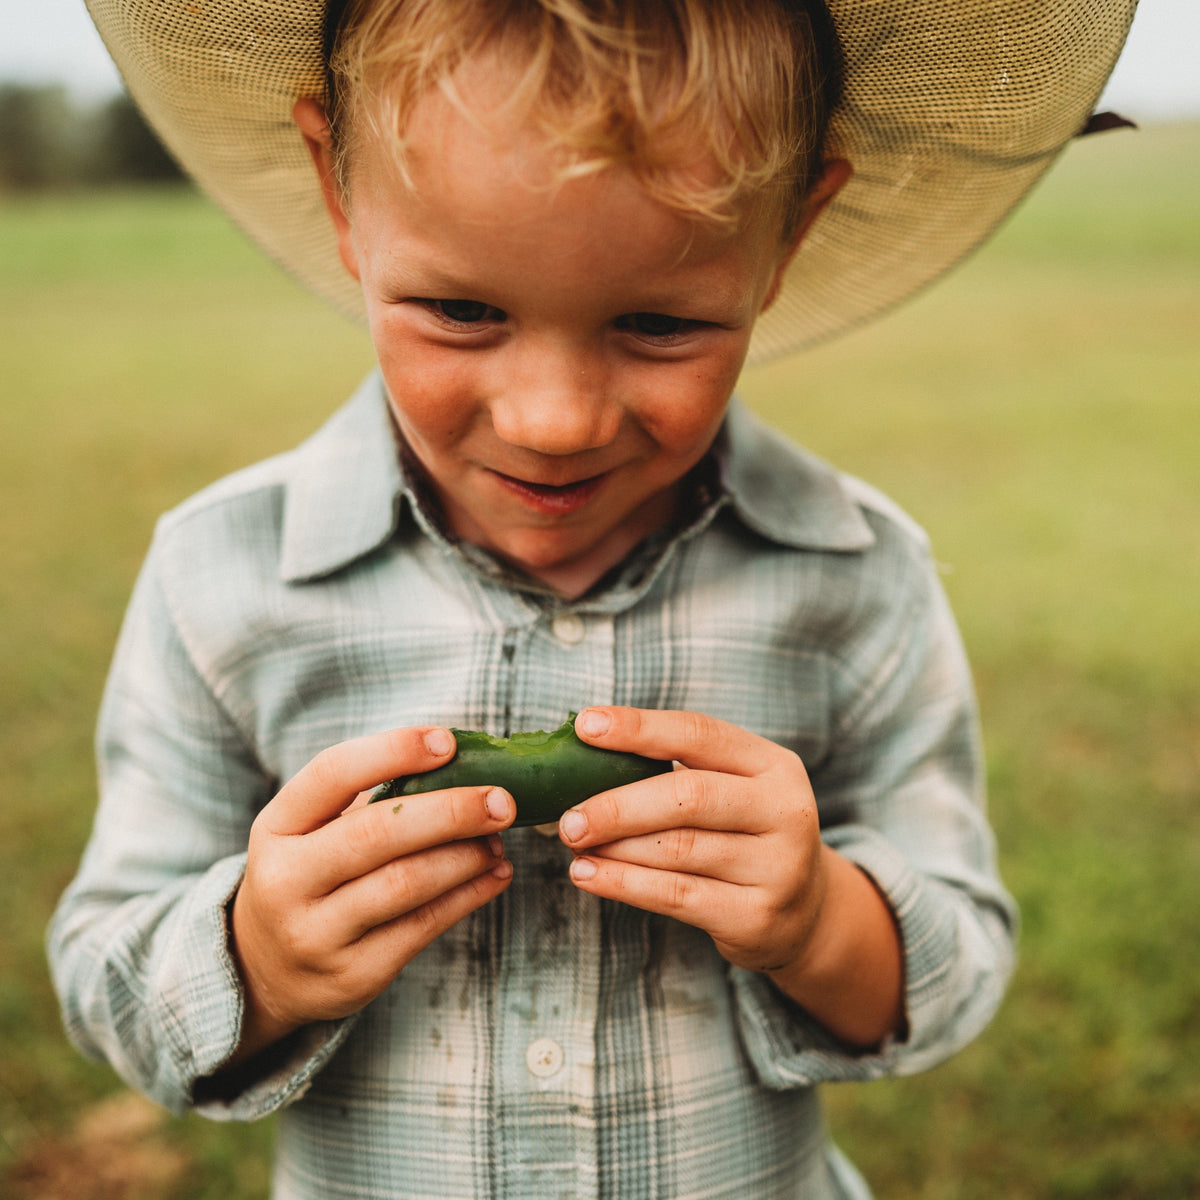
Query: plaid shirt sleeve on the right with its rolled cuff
point(902, 795)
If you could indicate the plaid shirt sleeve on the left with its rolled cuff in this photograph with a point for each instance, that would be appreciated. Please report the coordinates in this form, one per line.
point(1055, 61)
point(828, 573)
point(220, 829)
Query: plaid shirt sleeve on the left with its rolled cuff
point(139, 946)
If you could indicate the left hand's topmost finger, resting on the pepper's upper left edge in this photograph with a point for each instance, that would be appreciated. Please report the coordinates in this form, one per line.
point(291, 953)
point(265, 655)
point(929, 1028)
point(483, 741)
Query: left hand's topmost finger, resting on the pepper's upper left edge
point(325, 788)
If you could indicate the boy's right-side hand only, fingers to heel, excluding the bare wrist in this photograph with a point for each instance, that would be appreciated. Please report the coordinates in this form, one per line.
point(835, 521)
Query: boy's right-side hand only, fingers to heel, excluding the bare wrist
point(731, 845)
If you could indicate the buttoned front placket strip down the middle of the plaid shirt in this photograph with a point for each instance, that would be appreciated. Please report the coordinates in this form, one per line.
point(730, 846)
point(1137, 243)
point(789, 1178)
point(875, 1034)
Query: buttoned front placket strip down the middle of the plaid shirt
point(549, 979)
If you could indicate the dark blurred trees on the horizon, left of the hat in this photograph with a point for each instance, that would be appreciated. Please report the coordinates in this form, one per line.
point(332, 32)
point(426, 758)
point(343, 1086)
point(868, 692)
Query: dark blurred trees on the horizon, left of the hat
point(50, 141)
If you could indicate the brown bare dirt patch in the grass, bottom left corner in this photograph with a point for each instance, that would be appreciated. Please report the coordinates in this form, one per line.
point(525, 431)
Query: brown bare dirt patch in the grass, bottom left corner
point(116, 1153)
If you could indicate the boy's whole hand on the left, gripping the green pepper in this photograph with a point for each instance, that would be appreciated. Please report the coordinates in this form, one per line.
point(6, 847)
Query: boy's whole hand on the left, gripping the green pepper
point(339, 896)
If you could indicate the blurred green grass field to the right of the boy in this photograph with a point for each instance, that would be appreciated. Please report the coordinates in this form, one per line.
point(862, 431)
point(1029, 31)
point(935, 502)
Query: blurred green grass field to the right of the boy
point(1040, 413)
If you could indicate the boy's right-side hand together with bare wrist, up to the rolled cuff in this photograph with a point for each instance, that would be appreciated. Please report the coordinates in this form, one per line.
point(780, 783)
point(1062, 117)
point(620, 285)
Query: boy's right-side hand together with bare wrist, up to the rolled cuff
point(733, 845)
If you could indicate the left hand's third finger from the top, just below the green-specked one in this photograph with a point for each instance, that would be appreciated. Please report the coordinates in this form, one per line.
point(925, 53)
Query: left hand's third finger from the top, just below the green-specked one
point(405, 885)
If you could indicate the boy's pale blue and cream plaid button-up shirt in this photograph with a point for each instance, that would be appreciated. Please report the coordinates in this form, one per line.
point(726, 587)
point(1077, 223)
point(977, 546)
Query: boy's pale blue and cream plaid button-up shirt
point(553, 1045)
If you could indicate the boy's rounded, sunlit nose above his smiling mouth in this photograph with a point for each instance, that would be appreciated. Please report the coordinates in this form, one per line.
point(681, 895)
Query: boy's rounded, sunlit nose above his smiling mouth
point(555, 401)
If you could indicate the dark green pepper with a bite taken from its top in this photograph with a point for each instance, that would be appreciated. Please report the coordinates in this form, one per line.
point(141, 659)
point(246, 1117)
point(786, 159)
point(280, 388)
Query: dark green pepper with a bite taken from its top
point(545, 773)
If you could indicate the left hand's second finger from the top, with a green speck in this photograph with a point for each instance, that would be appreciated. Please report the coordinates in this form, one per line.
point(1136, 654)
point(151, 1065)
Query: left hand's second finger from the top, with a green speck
point(367, 839)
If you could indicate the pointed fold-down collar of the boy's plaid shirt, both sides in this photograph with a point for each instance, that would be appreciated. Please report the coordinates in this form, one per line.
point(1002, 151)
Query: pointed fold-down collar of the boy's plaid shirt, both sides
point(346, 487)
